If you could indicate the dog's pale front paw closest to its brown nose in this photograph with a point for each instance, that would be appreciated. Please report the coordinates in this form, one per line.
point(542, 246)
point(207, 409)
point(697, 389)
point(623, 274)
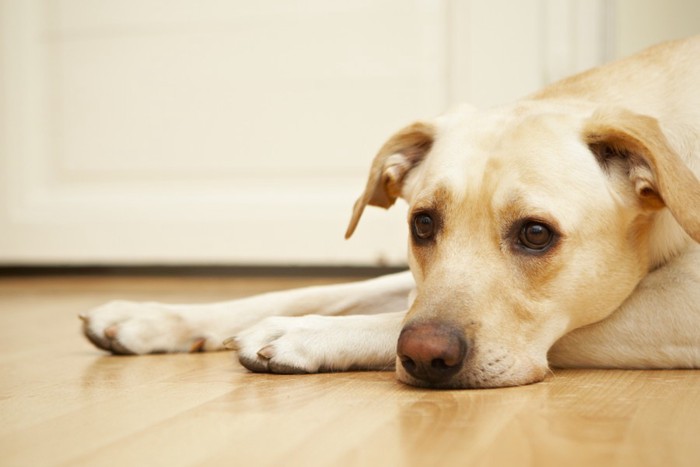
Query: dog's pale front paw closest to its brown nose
point(285, 345)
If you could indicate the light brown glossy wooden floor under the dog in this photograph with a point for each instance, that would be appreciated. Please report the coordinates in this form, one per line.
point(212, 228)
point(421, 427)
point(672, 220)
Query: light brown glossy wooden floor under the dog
point(62, 402)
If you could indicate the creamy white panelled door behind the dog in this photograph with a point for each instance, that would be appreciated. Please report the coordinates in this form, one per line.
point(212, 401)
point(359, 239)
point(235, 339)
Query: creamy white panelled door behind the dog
point(205, 131)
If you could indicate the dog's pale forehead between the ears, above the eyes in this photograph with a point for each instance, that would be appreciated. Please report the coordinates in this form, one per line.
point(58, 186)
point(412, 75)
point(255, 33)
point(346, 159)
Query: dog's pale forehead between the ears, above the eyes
point(533, 158)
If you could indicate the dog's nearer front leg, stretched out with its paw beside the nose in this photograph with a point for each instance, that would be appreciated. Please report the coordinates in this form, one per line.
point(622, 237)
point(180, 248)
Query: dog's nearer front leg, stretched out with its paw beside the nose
point(313, 343)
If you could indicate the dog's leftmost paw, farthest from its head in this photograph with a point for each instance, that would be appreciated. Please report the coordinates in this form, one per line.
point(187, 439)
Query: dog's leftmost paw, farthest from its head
point(130, 328)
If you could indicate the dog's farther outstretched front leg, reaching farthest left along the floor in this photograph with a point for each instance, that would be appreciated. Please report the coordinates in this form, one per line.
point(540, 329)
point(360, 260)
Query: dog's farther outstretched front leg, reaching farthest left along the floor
point(123, 327)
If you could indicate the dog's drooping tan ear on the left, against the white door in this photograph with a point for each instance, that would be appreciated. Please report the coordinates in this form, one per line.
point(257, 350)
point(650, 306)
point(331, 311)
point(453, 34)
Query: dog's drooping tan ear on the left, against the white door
point(401, 153)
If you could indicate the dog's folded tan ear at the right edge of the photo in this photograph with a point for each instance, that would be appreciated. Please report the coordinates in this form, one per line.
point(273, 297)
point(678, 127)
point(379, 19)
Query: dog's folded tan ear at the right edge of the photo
point(635, 144)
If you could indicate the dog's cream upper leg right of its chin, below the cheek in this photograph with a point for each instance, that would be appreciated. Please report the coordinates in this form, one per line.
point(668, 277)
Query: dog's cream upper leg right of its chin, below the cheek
point(658, 326)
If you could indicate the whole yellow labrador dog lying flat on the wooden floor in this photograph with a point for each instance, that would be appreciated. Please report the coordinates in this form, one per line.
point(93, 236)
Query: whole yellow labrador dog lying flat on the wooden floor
point(561, 230)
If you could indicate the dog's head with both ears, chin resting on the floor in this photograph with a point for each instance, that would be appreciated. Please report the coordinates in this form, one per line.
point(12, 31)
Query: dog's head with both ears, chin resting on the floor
point(524, 225)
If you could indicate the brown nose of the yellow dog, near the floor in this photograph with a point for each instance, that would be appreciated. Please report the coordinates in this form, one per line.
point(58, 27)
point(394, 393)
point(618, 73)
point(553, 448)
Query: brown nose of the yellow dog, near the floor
point(431, 352)
